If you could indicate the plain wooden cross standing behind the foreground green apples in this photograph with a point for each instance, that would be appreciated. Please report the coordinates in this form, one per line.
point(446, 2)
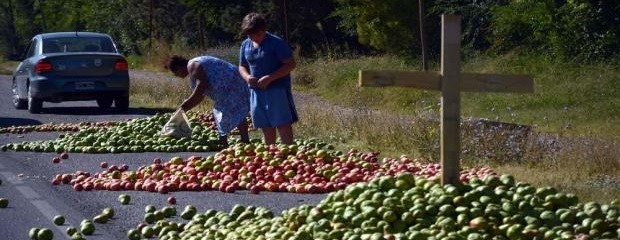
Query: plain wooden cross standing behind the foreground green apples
point(450, 81)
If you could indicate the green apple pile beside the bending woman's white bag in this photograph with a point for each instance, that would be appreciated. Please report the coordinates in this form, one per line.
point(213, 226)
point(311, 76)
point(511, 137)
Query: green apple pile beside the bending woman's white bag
point(136, 135)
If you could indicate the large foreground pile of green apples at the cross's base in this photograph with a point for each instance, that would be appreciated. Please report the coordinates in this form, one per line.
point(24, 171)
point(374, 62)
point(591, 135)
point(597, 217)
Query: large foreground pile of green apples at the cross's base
point(411, 207)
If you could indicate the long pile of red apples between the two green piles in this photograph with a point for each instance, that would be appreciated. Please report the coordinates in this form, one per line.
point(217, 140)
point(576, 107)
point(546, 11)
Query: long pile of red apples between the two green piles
point(299, 168)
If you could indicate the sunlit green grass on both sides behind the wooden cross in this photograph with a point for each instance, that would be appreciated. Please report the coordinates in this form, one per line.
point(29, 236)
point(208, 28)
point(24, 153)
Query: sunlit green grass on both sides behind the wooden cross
point(574, 99)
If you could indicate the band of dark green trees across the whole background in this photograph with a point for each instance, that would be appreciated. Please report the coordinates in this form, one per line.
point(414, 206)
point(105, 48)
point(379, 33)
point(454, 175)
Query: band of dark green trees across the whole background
point(579, 30)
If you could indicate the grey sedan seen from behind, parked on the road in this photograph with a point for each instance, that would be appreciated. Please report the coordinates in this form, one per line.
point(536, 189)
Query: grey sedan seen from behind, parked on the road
point(71, 66)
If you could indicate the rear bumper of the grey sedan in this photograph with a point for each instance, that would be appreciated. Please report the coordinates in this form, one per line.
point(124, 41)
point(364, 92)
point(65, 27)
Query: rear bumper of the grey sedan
point(73, 89)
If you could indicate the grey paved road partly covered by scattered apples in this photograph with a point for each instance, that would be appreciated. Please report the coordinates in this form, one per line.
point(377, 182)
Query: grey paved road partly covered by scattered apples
point(34, 201)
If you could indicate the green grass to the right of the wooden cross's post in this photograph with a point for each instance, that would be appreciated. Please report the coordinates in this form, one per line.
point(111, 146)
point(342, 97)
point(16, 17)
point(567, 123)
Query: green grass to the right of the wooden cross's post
point(580, 100)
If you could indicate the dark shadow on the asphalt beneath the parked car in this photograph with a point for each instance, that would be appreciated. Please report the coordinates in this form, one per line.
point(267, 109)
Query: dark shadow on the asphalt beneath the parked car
point(99, 111)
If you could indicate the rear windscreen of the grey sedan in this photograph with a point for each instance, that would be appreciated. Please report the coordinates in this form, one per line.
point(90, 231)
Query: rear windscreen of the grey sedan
point(78, 44)
